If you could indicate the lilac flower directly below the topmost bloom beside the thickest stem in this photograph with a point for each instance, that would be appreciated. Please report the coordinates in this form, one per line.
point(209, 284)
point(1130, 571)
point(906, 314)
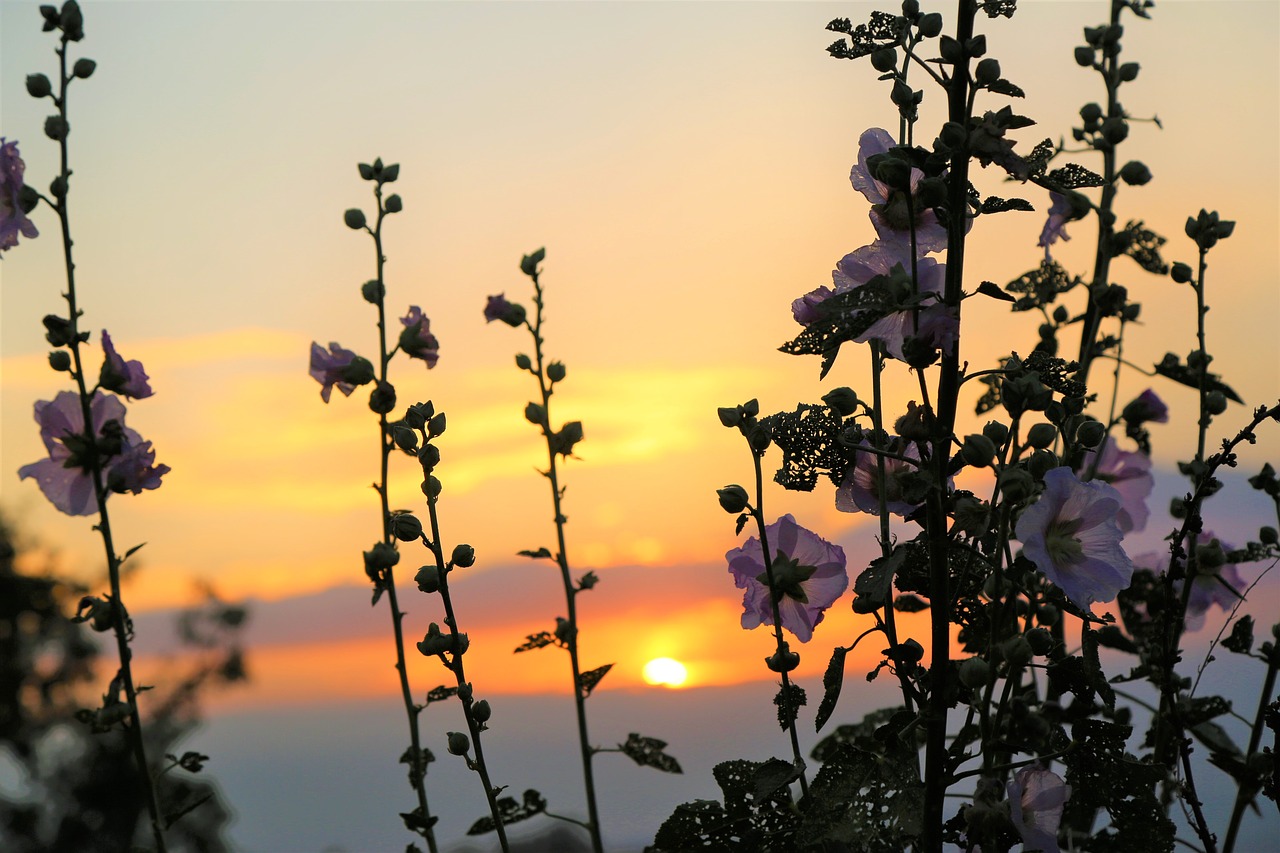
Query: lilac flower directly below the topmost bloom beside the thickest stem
point(931, 322)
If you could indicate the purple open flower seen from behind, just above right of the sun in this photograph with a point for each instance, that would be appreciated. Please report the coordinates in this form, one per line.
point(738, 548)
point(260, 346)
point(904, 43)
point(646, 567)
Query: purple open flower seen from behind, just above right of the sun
point(808, 571)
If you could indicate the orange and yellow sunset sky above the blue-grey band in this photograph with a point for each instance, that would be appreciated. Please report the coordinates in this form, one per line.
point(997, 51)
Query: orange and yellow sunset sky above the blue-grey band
point(687, 167)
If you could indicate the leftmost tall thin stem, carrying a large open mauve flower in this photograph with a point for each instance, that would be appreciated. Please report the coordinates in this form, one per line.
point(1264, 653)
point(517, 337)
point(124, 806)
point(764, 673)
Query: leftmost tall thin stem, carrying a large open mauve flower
point(120, 619)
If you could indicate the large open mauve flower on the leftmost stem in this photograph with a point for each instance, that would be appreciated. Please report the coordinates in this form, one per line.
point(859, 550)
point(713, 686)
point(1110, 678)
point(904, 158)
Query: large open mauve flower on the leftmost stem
point(63, 477)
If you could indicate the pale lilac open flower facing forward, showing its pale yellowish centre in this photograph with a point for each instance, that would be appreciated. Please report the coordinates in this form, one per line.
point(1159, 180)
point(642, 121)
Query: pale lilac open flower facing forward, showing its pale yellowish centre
point(1073, 537)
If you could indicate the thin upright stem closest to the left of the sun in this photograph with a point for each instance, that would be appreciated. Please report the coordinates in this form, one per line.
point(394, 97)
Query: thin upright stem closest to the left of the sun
point(566, 578)
